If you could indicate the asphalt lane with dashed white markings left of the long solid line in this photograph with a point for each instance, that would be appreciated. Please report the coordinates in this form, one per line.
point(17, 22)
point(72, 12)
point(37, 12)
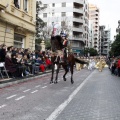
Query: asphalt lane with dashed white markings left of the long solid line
point(37, 99)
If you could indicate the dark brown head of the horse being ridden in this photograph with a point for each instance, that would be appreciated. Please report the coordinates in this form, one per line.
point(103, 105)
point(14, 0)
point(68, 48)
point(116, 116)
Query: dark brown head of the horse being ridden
point(56, 43)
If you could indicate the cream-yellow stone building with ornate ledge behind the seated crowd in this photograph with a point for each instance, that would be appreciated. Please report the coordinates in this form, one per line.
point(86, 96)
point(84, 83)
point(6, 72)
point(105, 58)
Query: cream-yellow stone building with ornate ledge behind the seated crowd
point(17, 23)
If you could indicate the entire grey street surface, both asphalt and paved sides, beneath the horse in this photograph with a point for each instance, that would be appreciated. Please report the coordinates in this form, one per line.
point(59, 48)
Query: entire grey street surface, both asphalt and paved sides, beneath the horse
point(94, 96)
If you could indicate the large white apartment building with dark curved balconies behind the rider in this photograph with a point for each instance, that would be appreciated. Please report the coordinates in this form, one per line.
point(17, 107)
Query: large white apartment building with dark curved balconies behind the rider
point(71, 17)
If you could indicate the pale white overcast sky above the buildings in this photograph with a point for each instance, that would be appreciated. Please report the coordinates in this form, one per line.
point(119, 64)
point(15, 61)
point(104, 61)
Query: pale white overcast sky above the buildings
point(109, 13)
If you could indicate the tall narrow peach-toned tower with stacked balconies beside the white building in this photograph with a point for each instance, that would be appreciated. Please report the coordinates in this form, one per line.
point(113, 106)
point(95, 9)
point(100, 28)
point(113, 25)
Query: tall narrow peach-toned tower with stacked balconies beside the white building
point(94, 17)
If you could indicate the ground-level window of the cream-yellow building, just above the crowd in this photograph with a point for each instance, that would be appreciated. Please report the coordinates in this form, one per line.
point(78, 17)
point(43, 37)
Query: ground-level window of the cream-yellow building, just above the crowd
point(18, 41)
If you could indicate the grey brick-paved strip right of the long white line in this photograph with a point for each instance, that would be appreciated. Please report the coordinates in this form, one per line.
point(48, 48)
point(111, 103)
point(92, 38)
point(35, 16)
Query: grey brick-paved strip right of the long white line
point(99, 99)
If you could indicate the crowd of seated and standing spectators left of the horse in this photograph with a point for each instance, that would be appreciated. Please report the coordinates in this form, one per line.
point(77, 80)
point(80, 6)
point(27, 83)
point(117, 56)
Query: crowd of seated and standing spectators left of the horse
point(20, 62)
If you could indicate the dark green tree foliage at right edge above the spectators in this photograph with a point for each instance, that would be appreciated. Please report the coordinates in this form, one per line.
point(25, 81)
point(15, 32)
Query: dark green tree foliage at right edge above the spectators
point(115, 47)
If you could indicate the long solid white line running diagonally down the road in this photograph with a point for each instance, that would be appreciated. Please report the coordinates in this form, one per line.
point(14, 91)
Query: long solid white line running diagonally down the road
point(61, 107)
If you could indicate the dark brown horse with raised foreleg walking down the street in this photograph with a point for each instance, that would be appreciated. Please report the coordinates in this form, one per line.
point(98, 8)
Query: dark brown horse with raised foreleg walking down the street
point(56, 44)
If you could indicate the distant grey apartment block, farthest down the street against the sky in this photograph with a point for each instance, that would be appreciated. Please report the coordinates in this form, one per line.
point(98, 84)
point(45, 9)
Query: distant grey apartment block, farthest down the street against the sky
point(104, 40)
